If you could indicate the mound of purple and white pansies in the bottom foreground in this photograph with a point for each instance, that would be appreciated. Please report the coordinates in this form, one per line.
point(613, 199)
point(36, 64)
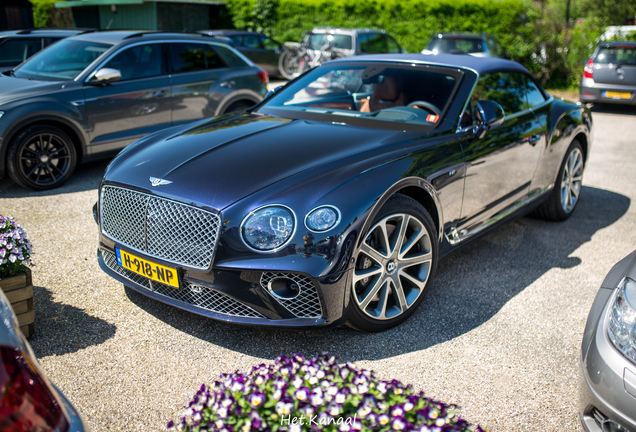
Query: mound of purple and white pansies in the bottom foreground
point(300, 395)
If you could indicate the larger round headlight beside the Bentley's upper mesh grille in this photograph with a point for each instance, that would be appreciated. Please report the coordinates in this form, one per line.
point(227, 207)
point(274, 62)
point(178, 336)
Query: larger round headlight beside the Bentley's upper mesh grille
point(268, 228)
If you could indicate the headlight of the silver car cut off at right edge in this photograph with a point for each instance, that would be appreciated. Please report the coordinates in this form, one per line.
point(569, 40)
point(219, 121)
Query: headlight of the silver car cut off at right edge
point(622, 322)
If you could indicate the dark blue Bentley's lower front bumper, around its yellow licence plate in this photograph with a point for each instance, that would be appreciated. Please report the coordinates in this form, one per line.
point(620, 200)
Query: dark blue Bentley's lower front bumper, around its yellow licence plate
point(241, 296)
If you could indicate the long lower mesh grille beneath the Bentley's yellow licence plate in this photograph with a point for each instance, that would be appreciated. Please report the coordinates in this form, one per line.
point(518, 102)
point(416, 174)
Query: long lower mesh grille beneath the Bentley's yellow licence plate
point(190, 293)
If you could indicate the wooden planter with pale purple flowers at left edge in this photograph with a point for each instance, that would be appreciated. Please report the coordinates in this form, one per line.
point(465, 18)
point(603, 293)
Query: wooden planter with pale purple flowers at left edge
point(15, 275)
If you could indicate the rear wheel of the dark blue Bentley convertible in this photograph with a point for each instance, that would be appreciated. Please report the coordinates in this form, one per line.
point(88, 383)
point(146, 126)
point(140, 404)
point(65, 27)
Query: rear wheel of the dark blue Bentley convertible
point(567, 189)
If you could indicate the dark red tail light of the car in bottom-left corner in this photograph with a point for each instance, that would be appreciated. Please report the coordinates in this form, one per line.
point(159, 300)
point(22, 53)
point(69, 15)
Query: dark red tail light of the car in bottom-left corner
point(26, 402)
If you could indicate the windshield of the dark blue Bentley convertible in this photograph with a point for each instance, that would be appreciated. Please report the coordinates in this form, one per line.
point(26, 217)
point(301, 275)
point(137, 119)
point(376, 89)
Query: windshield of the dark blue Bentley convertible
point(374, 95)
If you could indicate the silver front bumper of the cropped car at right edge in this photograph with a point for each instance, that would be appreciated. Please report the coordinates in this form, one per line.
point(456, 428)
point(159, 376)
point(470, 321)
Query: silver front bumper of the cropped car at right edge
point(607, 384)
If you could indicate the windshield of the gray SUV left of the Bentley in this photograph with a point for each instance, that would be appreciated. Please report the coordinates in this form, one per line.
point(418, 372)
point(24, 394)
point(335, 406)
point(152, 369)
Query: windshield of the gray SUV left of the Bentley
point(62, 61)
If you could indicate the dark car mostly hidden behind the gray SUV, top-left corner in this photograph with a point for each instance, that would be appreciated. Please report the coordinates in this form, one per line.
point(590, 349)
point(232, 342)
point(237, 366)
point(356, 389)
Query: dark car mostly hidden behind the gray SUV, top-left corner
point(18, 45)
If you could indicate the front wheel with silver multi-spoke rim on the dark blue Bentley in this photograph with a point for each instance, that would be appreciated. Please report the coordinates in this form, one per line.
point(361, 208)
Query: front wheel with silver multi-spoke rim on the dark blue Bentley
point(393, 272)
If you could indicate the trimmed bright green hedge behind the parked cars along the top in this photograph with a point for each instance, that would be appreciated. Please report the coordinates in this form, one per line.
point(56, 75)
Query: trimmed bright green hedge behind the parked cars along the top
point(412, 22)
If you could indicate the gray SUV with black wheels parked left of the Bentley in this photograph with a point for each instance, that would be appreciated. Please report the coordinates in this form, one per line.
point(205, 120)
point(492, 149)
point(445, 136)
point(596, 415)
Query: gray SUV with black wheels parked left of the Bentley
point(88, 96)
